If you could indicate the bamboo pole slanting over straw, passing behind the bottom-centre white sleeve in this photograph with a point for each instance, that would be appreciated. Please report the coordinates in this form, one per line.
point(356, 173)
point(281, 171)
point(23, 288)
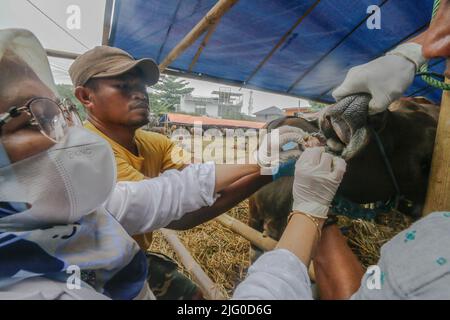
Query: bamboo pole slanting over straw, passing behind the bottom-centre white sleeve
point(255, 237)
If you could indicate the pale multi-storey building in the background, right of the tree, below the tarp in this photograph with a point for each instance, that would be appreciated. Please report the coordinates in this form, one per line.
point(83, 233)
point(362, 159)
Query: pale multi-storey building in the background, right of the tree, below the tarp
point(221, 104)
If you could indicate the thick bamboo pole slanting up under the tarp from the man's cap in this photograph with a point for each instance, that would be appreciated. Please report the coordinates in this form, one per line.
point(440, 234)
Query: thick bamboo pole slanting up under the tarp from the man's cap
point(211, 18)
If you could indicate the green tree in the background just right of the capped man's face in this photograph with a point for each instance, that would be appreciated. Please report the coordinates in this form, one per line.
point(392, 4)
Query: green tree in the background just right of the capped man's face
point(166, 94)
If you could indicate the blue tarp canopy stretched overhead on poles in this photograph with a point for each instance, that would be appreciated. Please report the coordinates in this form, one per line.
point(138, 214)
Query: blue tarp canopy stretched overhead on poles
point(314, 59)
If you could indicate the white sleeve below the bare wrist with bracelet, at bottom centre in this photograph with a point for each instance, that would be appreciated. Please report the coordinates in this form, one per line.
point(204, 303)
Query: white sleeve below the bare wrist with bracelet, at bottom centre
point(276, 275)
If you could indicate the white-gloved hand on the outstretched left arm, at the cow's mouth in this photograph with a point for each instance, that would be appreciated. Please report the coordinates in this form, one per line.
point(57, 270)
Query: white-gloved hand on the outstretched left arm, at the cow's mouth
point(274, 141)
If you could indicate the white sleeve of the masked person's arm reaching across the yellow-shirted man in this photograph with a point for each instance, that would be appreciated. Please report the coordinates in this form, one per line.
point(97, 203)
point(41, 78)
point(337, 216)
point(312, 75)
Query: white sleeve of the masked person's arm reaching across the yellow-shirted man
point(152, 204)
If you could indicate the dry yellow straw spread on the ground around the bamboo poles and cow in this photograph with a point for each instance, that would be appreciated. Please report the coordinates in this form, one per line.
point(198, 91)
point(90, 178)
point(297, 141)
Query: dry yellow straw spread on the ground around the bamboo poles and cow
point(224, 255)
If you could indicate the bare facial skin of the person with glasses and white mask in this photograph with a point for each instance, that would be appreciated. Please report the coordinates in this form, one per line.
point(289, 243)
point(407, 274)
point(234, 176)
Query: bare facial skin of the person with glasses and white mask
point(19, 138)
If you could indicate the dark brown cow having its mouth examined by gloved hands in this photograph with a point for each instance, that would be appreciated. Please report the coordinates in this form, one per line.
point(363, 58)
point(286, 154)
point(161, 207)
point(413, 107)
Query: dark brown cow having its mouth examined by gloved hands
point(406, 132)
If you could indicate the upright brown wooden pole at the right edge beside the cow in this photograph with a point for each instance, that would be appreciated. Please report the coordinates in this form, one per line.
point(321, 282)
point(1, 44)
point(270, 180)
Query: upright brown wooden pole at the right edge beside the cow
point(438, 195)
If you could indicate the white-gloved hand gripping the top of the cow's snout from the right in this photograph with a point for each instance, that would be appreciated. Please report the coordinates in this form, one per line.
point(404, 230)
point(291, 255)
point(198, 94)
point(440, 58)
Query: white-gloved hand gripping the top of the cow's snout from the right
point(385, 78)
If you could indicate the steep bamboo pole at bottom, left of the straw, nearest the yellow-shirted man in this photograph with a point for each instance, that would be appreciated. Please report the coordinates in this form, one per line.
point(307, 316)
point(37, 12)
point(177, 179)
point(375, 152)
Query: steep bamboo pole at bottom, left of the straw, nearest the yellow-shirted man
point(207, 286)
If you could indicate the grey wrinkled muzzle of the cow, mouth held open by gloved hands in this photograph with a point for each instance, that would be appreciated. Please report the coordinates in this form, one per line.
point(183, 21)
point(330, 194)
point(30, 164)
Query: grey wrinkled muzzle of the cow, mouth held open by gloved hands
point(344, 125)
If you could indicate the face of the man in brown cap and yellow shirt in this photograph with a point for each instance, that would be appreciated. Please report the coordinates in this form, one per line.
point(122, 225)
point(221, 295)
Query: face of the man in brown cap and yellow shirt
point(121, 100)
